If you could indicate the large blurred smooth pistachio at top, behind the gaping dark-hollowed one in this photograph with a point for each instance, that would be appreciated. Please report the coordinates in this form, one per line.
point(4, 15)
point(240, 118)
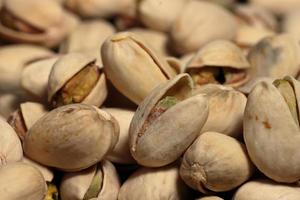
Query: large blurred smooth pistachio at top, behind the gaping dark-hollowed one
point(186, 38)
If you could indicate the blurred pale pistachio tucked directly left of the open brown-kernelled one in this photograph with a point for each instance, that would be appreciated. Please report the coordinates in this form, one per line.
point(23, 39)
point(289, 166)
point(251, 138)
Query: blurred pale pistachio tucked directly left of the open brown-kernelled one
point(34, 77)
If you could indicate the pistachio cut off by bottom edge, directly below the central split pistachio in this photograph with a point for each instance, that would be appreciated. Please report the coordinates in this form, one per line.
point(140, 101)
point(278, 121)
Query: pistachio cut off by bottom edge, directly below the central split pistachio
point(154, 184)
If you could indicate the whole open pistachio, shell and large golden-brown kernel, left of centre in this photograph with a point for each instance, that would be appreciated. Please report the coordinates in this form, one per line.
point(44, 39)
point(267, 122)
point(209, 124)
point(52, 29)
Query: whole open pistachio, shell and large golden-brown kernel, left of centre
point(75, 78)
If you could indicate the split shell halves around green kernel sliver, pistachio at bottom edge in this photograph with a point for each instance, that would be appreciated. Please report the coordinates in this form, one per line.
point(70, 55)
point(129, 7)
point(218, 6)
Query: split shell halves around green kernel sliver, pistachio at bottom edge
point(74, 186)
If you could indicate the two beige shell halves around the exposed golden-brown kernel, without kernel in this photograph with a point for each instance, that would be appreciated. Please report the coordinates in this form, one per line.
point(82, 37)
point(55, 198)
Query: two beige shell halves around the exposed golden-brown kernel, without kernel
point(69, 65)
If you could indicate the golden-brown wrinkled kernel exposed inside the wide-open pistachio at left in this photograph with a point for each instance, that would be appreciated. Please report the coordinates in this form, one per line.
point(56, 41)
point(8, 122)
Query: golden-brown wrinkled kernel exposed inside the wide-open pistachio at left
point(78, 87)
